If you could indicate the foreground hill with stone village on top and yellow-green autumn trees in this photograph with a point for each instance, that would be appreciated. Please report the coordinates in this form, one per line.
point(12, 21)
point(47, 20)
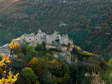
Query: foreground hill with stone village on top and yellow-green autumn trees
point(44, 58)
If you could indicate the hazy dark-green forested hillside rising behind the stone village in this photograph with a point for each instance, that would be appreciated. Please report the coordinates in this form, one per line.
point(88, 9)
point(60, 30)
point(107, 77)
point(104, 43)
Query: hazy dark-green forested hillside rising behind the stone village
point(67, 16)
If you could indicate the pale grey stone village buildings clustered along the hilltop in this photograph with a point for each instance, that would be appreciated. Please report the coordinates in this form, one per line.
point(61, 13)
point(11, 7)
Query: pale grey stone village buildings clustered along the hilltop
point(53, 41)
